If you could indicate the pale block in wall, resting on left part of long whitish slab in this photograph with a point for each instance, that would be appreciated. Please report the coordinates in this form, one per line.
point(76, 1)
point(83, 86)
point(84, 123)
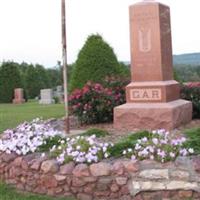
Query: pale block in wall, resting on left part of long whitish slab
point(154, 174)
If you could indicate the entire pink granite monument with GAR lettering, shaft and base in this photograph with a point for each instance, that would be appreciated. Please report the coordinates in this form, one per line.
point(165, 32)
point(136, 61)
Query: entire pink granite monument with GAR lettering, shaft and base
point(153, 97)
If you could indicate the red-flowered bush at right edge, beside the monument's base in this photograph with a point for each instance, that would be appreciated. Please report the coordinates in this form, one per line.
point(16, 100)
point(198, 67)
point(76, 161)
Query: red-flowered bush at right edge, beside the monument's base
point(191, 92)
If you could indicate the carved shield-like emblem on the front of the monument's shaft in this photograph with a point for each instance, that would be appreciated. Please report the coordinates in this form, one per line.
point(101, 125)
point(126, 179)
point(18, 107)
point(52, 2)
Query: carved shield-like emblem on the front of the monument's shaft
point(144, 39)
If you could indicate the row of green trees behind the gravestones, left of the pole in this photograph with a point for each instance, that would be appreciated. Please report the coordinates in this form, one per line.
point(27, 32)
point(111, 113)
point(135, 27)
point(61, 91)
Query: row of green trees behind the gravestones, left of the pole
point(32, 78)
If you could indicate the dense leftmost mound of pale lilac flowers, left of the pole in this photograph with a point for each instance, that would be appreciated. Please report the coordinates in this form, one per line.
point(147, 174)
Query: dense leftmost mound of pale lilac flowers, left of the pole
point(27, 137)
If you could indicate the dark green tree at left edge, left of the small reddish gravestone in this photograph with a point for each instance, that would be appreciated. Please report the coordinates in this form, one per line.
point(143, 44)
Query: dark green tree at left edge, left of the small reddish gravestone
point(9, 80)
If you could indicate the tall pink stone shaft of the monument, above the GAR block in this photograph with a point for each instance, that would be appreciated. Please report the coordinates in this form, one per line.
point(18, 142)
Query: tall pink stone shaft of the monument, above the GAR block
point(151, 48)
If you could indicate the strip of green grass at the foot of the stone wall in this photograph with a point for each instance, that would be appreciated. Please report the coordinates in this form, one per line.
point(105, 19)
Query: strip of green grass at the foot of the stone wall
point(8, 193)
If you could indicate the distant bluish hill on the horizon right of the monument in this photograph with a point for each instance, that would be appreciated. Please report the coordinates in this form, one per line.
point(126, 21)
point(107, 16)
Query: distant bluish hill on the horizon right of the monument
point(187, 59)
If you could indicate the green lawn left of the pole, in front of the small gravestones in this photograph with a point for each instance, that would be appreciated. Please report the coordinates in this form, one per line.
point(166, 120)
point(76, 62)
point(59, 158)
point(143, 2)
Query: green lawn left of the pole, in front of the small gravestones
point(11, 115)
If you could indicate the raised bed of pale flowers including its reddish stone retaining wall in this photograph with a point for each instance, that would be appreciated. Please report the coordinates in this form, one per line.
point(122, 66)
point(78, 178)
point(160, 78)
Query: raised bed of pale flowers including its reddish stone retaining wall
point(36, 158)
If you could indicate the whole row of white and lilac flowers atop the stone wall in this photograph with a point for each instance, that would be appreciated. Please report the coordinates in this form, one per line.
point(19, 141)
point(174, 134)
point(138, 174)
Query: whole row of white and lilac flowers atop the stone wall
point(38, 136)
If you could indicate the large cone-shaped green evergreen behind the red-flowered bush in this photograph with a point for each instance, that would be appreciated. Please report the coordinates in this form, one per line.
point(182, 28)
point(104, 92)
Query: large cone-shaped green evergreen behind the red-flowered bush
point(96, 60)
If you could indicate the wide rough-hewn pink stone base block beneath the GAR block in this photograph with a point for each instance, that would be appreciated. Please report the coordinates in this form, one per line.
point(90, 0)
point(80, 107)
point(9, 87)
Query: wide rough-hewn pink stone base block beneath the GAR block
point(151, 116)
